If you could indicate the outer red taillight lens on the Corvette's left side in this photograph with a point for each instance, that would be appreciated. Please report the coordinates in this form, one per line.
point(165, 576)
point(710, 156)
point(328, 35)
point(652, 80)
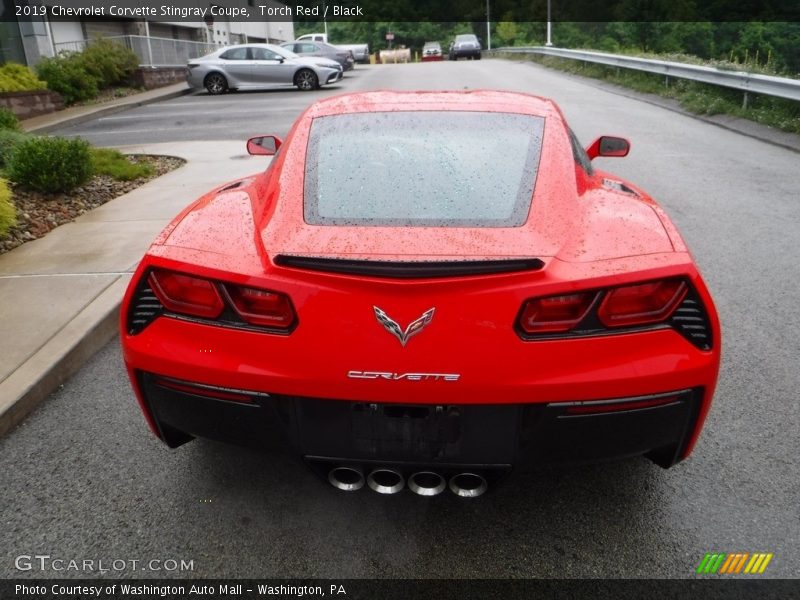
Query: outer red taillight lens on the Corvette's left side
point(185, 294)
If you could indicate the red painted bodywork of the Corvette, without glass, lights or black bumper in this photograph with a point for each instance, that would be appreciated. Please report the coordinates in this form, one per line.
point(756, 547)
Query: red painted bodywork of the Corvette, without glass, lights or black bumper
point(591, 232)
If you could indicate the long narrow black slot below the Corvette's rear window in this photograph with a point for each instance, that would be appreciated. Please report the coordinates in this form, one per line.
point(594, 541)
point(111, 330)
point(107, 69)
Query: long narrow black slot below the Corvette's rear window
point(409, 270)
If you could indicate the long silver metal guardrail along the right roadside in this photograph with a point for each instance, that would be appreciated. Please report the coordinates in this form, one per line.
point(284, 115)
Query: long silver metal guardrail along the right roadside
point(781, 87)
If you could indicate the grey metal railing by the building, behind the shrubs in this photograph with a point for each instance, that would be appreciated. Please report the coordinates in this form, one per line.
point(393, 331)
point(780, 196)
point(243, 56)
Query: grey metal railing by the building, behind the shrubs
point(152, 52)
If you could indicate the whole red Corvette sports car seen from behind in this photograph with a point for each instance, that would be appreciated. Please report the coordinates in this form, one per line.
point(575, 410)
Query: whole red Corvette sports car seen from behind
point(473, 297)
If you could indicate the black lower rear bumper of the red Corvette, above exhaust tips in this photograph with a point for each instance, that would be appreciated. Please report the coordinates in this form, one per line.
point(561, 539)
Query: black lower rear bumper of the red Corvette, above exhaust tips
point(441, 436)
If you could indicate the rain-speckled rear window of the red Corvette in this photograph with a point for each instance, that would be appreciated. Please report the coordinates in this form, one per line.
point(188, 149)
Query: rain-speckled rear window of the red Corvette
point(427, 169)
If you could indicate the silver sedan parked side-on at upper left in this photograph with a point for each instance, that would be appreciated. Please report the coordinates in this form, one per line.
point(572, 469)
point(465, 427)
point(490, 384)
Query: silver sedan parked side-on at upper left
point(250, 66)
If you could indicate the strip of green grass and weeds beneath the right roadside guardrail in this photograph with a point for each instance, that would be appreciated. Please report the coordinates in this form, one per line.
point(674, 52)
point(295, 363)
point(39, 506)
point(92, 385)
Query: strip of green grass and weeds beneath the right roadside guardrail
point(695, 97)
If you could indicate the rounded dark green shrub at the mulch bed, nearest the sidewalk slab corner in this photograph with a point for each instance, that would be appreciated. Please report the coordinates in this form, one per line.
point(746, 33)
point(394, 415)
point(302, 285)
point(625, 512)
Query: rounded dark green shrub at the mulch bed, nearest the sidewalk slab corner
point(51, 164)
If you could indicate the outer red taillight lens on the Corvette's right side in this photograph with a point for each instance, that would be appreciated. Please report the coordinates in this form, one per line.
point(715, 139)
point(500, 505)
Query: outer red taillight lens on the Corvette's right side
point(641, 304)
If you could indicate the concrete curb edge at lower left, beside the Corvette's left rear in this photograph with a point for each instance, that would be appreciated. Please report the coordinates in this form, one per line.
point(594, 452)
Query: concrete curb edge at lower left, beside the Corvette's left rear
point(62, 356)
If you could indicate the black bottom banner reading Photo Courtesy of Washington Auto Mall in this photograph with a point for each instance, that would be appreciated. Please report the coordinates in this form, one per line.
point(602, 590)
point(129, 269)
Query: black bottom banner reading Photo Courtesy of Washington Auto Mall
point(712, 588)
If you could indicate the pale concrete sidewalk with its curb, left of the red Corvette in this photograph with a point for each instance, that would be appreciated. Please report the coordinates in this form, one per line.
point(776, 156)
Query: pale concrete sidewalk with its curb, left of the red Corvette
point(60, 294)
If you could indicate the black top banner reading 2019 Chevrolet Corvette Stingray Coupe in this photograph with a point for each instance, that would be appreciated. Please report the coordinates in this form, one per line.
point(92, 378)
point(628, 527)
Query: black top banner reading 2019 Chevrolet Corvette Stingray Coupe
point(404, 10)
